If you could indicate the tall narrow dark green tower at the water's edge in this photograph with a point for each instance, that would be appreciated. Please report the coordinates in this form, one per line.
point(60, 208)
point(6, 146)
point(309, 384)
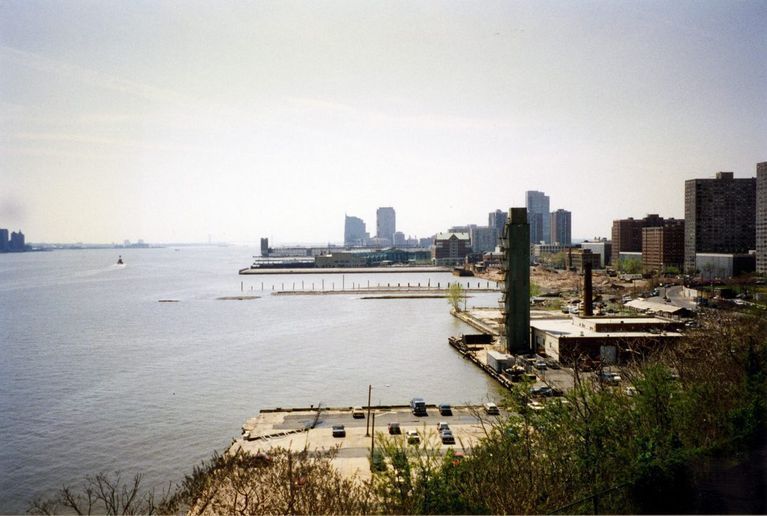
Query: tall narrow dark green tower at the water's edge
point(516, 289)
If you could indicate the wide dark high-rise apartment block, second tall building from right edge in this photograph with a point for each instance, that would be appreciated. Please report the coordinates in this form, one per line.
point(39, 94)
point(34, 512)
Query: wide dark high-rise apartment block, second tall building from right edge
point(720, 216)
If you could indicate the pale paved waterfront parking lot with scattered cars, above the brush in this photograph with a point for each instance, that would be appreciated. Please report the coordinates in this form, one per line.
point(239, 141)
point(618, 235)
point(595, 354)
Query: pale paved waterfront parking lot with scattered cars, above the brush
point(262, 433)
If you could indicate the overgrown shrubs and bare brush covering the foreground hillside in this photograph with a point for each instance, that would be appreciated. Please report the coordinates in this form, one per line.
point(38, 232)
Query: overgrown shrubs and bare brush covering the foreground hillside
point(599, 448)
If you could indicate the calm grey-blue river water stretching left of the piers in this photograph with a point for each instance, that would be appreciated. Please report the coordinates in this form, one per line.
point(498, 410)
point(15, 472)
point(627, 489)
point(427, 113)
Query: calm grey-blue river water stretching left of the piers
point(97, 375)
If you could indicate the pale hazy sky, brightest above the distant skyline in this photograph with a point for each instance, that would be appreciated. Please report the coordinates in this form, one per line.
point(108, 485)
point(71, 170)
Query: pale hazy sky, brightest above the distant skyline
point(170, 121)
